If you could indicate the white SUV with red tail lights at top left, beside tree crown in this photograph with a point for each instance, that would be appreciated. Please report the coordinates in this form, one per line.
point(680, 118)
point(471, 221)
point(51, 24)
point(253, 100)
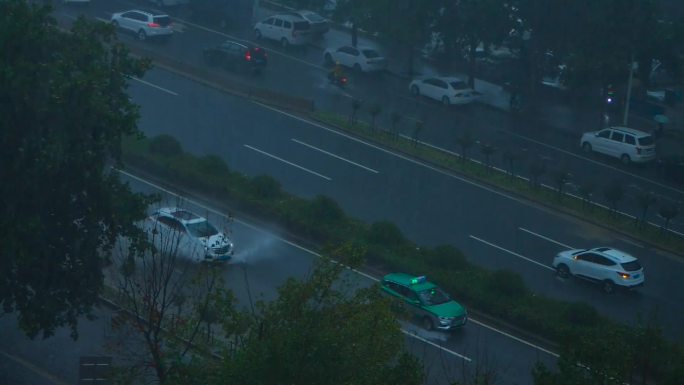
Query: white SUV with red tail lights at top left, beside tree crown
point(144, 23)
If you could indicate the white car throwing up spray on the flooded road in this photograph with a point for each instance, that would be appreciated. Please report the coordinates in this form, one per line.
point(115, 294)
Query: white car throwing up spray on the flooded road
point(175, 230)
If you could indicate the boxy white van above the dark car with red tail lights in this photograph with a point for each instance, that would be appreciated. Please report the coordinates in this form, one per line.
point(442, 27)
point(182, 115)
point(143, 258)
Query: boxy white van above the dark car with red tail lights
point(285, 29)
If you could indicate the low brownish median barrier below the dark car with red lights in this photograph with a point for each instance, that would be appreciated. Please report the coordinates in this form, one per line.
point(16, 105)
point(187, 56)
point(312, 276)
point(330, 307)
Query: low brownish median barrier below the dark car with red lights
point(227, 84)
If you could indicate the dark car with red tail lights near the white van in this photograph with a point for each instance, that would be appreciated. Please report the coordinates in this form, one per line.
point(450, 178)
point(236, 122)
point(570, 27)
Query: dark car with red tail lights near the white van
point(236, 56)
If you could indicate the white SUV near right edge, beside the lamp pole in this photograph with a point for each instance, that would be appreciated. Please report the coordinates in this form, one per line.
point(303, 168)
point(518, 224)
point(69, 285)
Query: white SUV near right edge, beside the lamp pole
point(627, 144)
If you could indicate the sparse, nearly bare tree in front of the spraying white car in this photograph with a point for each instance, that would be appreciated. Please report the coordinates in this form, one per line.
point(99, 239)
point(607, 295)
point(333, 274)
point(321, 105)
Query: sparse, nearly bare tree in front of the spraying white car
point(170, 299)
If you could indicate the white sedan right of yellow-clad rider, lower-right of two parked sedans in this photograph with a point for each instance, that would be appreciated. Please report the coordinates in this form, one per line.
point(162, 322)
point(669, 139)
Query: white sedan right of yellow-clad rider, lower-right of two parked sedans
point(448, 90)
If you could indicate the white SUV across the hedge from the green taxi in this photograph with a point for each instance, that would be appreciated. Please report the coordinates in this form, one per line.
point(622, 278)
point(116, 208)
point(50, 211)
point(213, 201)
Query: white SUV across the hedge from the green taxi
point(605, 265)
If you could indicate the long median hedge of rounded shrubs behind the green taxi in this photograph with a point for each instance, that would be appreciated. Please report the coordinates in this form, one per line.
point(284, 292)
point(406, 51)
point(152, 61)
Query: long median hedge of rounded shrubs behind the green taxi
point(321, 223)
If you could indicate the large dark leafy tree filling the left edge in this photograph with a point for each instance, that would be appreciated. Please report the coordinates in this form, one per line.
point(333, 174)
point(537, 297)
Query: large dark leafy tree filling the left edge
point(63, 112)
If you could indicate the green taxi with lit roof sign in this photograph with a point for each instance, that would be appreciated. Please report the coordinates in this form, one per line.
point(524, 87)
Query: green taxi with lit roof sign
point(430, 304)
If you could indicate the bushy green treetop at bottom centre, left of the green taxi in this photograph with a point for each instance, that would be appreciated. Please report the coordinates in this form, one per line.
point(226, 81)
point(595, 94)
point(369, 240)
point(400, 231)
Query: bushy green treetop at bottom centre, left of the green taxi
point(350, 333)
